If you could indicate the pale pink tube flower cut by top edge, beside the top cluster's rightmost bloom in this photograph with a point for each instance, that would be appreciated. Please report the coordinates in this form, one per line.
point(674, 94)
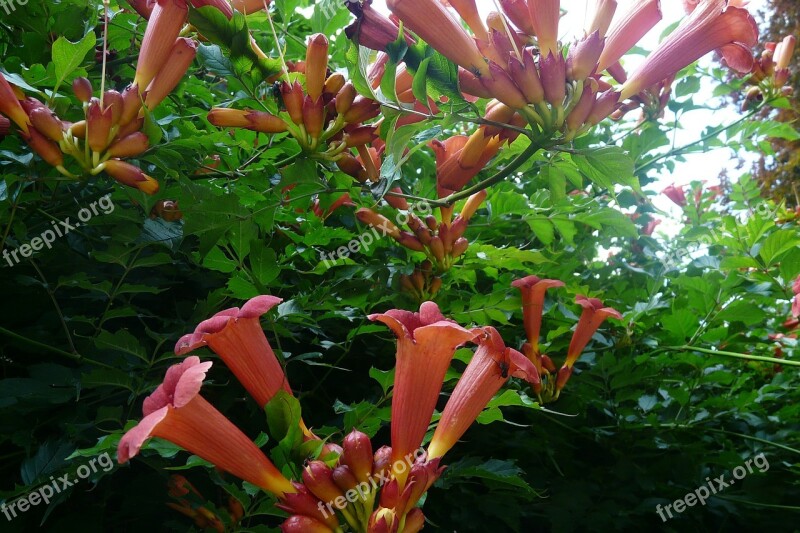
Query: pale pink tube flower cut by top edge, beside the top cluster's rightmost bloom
point(628, 30)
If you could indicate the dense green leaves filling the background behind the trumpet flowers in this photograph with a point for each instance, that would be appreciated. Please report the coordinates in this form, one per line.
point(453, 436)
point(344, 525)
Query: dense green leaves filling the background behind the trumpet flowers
point(88, 327)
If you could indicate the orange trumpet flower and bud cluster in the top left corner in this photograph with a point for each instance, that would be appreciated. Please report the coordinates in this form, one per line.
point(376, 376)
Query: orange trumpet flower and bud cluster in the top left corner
point(111, 130)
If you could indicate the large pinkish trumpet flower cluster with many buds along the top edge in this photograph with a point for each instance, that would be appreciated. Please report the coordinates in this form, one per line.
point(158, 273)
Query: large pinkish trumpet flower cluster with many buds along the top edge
point(516, 58)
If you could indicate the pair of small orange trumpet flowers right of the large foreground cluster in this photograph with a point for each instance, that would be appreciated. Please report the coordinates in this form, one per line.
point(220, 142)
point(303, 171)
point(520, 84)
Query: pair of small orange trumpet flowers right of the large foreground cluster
point(533, 291)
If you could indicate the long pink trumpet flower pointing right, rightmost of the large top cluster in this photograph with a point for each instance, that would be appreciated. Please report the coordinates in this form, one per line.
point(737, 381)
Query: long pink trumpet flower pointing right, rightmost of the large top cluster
point(712, 25)
